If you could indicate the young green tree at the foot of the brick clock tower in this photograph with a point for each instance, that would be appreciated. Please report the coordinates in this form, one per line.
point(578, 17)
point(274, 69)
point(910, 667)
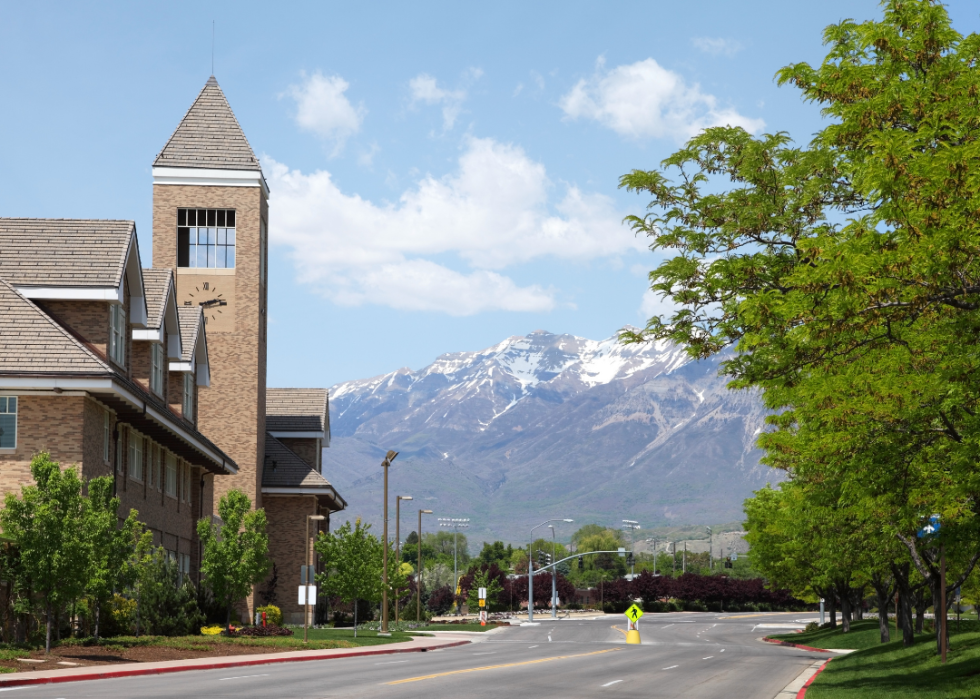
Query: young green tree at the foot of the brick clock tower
point(236, 554)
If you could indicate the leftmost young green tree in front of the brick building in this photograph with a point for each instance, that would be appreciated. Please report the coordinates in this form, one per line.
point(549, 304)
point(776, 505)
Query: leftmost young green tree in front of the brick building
point(47, 521)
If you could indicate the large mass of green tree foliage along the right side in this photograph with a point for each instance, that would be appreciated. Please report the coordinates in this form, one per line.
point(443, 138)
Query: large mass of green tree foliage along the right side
point(846, 275)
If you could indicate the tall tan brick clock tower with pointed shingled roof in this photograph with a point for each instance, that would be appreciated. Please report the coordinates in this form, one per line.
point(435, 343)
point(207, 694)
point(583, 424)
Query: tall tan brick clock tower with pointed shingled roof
point(210, 223)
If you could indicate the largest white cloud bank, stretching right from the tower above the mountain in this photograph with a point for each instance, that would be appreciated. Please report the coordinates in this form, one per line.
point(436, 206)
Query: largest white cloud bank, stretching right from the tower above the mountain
point(494, 211)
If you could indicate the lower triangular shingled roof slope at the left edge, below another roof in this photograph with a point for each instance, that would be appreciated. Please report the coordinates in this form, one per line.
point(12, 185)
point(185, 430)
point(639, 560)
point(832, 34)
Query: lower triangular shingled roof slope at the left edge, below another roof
point(31, 342)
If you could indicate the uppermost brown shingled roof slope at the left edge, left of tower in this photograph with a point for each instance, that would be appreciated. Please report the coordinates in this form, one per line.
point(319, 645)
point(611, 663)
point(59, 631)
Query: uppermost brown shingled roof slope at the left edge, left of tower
point(64, 252)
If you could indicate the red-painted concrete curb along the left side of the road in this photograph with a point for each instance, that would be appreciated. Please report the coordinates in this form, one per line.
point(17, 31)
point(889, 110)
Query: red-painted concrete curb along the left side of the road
point(99, 672)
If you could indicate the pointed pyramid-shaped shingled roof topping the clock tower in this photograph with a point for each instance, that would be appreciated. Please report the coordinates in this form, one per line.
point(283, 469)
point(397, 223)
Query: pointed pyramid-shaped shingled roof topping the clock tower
point(209, 136)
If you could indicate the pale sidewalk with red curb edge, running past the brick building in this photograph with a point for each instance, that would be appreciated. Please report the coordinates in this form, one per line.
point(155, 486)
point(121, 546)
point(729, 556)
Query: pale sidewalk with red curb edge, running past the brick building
point(102, 672)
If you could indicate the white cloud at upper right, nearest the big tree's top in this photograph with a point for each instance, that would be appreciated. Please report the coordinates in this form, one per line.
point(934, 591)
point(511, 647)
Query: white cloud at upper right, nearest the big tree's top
point(644, 99)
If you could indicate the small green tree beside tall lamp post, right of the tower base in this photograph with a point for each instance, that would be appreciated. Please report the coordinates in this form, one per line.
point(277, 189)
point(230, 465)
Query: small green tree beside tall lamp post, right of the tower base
point(352, 564)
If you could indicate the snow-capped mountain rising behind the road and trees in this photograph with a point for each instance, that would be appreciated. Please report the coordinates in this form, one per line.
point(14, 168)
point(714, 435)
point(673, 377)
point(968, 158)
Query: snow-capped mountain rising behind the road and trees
point(551, 426)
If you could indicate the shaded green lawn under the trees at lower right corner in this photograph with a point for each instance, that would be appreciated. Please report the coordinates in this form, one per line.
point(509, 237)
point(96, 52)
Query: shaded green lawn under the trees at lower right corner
point(893, 672)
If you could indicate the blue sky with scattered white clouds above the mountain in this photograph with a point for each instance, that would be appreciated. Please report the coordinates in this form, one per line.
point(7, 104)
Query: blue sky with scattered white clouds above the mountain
point(443, 175)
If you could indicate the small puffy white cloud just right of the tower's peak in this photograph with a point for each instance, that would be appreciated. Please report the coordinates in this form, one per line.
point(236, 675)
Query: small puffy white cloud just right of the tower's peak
point(323, 108)
